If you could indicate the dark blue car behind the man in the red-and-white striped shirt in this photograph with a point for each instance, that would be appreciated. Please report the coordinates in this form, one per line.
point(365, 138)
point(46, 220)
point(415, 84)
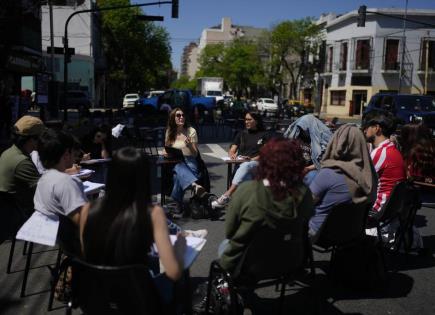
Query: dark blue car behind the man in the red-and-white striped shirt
point(405, 107)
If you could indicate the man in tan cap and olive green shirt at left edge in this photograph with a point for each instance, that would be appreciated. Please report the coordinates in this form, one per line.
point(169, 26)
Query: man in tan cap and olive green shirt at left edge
point(18, 174)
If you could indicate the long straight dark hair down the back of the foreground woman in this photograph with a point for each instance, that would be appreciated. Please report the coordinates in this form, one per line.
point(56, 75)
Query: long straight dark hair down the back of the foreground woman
point(119, 229)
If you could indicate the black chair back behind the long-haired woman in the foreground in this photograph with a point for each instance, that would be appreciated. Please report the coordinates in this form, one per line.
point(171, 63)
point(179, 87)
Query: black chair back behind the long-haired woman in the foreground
point(113, 290)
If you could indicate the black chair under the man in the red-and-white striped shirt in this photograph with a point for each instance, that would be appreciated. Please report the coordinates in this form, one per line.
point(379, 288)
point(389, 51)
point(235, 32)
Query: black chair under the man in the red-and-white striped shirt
point(402, 205)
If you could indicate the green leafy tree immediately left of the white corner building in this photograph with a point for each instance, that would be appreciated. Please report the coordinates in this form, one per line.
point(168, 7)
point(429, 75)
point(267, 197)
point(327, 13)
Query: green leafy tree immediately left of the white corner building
point(291, 42)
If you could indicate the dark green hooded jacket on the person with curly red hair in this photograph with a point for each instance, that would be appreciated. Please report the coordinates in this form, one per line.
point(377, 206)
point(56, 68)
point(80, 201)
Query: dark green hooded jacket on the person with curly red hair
point(253, 207)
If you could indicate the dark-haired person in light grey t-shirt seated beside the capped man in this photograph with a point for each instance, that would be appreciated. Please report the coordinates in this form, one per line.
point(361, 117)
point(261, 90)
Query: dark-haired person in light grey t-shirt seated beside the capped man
point(57, 192)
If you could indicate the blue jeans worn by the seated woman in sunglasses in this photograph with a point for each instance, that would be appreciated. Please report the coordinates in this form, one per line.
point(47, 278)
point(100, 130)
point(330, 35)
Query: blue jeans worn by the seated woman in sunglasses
point(185, 174)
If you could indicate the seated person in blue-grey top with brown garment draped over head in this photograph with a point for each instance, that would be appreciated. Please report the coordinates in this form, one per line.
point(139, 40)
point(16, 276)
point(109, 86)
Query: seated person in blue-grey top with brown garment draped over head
point(347, 175)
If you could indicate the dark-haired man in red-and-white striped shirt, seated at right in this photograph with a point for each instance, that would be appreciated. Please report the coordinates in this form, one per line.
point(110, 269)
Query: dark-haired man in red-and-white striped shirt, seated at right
point(387, 160)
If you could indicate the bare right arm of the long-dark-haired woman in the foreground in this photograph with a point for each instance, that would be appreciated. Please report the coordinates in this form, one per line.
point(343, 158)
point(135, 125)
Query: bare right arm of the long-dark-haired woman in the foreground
point(172, 257)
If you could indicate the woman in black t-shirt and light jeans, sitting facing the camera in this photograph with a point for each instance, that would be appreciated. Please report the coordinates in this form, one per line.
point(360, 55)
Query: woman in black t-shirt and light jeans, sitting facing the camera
point(246, 146)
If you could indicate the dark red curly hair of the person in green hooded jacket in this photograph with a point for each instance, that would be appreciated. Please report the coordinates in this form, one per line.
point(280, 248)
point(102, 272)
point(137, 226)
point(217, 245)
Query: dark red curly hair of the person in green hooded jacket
point(282, 164)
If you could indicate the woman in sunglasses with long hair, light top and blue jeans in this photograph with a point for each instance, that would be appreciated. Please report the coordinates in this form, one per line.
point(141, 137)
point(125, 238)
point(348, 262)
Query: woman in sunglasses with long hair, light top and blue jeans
point(181, 136)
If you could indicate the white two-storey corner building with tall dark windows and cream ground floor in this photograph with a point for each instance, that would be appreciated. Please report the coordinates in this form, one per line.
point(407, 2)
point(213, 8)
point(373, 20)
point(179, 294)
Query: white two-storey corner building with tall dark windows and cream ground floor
point(362, 61)
